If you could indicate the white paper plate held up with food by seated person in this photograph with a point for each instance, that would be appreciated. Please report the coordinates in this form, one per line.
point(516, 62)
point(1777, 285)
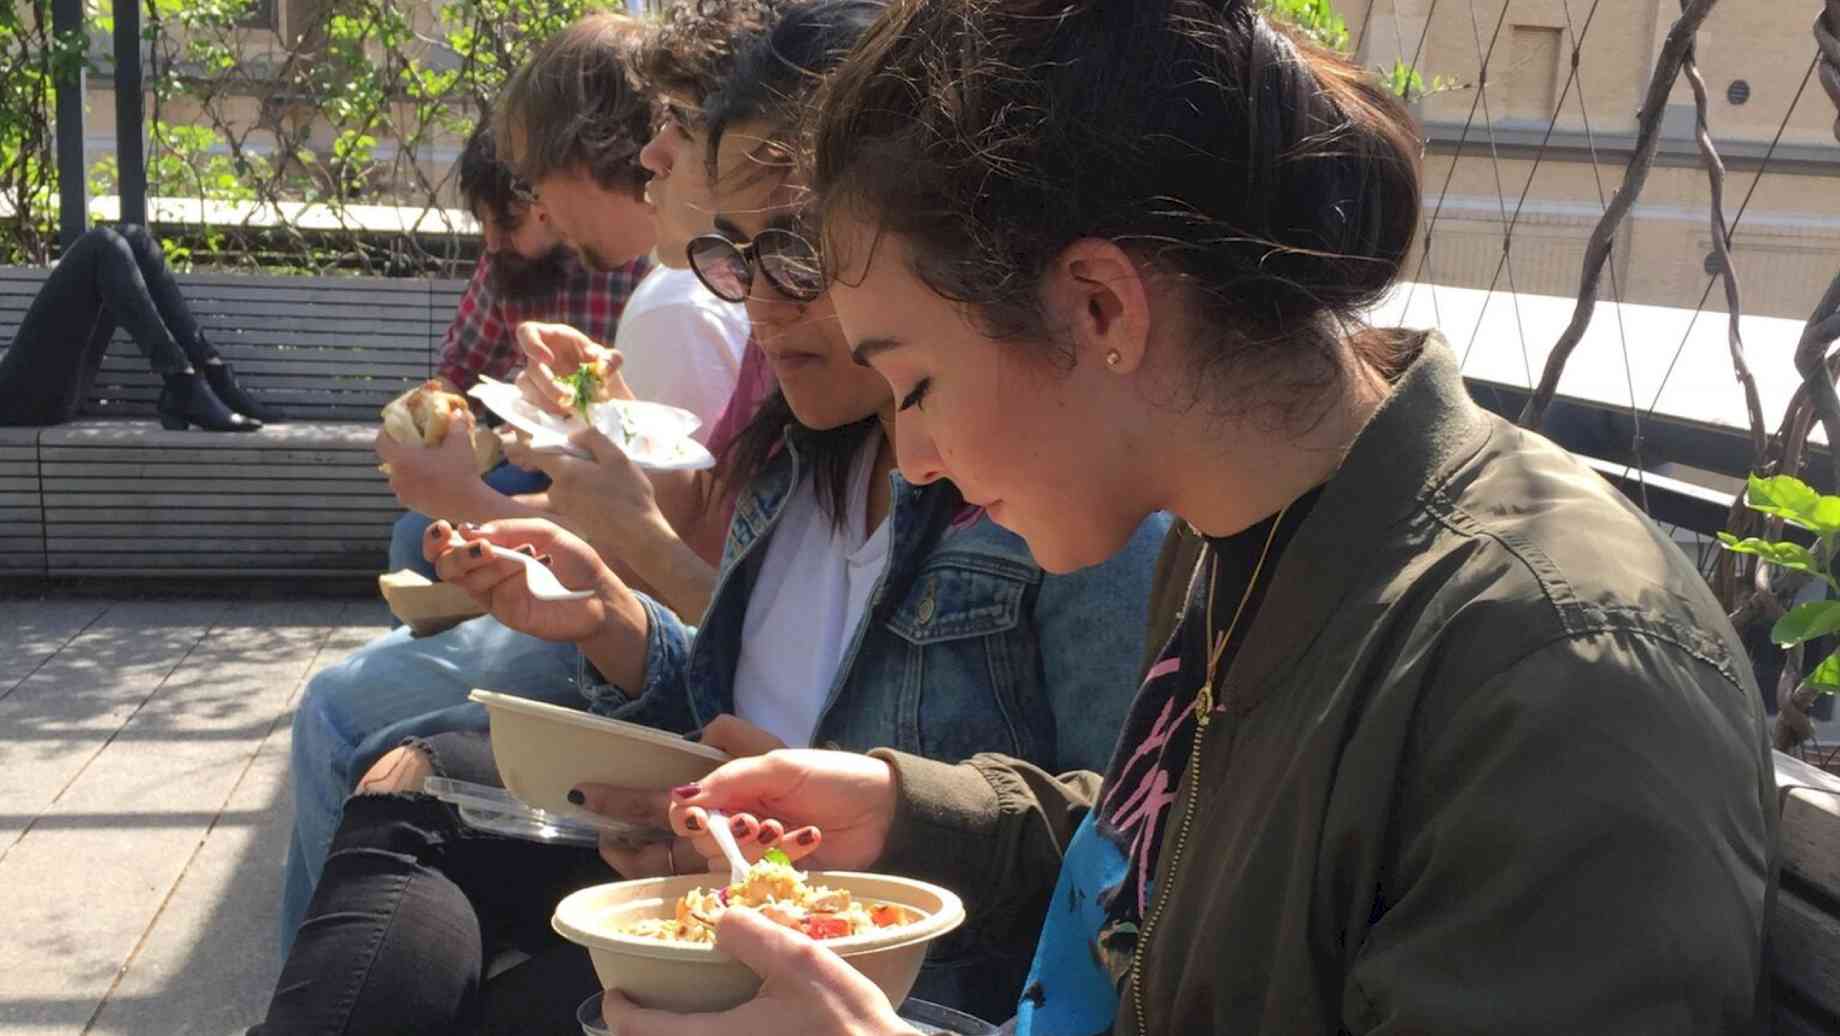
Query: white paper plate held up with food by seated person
point(654, 435)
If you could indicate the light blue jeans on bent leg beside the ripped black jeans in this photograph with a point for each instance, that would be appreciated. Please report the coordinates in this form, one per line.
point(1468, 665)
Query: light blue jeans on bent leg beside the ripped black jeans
point(400, 687)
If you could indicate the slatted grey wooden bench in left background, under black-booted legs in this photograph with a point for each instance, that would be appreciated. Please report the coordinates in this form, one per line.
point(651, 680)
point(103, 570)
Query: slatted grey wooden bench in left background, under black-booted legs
point(113, 494)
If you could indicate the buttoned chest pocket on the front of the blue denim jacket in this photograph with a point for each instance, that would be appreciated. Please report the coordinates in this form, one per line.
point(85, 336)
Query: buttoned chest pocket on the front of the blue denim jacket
point(969, 660)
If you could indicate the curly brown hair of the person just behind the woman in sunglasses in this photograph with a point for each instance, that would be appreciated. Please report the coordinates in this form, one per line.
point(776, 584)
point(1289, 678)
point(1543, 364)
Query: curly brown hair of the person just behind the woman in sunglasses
point(691, 52)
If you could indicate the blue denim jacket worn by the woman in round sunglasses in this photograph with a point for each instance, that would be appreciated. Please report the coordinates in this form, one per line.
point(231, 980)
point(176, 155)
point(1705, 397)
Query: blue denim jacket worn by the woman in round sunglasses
point(969, 647)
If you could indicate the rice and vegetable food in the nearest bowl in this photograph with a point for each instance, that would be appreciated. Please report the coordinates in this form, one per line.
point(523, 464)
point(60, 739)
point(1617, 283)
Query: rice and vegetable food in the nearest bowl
point(781, 895)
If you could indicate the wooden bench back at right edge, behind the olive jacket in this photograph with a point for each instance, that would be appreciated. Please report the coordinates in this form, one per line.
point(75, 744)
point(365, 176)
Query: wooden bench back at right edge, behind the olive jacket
point(1806, 930)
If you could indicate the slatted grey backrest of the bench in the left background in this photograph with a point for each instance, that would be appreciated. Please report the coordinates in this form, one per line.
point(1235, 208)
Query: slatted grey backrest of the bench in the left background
point(321, 349)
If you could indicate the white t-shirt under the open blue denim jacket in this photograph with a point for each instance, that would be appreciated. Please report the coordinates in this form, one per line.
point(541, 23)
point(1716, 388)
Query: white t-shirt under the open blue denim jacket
point(809, 601)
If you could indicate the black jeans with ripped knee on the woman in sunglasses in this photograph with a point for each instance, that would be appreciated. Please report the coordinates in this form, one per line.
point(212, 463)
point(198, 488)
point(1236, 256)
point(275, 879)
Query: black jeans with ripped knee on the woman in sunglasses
point(408, 910)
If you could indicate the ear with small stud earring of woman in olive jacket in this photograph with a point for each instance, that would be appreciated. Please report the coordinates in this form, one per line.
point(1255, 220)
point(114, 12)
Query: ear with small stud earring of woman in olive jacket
point(1098, 294)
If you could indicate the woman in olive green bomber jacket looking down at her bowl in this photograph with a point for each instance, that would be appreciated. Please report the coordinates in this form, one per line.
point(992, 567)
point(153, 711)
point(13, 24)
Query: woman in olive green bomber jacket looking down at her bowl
point(1449, 739)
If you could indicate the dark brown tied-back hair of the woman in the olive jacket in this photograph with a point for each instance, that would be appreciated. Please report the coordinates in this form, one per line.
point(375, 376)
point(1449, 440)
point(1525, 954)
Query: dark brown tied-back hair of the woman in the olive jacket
point(1276, 179)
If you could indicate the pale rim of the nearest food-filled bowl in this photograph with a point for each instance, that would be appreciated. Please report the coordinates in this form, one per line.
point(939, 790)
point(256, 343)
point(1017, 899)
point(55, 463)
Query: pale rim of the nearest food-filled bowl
point(949, 917)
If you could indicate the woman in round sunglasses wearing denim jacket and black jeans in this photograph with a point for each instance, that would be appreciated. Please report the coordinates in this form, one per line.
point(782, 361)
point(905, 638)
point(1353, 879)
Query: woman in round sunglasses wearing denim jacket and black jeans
point(961, 647)
